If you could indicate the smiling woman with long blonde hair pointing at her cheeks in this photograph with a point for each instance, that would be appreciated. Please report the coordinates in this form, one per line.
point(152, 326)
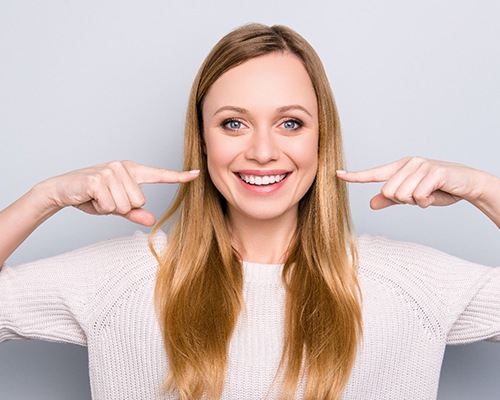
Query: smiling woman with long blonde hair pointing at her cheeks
point(261, 290)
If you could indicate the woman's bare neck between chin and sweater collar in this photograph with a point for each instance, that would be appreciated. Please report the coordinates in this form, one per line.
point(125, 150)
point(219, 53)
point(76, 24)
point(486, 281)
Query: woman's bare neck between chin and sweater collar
point(262, 241)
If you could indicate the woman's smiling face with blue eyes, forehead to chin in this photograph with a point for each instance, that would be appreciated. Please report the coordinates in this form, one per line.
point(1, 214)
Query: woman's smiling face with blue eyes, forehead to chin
point(260, 124)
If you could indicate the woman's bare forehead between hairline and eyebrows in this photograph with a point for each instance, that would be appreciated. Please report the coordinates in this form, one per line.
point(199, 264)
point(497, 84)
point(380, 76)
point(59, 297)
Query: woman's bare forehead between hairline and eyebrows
point(271, 81)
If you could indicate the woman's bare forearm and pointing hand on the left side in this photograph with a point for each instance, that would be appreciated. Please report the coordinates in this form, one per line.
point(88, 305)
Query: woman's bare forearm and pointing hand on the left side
point(111, 188)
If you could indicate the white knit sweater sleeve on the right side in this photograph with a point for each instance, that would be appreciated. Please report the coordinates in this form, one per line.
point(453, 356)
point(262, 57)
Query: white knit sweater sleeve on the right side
point(458, 298)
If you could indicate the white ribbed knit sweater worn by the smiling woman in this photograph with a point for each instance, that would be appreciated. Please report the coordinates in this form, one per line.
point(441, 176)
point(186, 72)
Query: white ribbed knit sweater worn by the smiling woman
point(415, 301)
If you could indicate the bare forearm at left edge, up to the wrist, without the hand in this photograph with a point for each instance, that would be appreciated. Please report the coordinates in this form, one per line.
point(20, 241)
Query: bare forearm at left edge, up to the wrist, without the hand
point(21, 218)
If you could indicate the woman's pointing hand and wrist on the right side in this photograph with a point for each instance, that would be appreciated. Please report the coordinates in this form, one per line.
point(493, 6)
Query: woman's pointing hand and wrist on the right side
point(425, 183)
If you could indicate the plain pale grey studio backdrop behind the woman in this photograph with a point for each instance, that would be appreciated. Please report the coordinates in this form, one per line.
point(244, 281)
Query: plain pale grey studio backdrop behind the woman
point(83, 82)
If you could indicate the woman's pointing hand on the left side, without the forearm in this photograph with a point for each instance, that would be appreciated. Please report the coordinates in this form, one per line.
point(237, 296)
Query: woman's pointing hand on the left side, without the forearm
point(111, 188)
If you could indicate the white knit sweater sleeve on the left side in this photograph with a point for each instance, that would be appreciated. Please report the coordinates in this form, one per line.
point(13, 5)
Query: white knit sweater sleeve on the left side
point(52, 299)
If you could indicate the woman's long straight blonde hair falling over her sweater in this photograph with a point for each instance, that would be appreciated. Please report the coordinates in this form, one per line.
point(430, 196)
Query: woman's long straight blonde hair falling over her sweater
point(198, 291)
